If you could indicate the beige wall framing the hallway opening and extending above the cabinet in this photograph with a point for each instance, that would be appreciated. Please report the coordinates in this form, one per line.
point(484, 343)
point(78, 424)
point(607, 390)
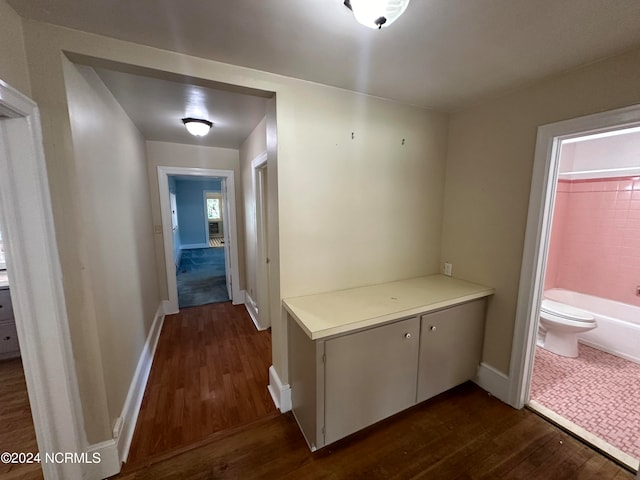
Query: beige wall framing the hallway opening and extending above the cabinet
point(350, 212)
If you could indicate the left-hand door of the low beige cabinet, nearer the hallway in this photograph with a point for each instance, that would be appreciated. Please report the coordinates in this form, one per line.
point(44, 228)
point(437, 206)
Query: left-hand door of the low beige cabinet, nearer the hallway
point(369, 375)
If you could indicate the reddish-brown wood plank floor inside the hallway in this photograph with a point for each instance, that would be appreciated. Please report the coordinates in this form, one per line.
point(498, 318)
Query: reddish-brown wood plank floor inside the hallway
point(209, 374)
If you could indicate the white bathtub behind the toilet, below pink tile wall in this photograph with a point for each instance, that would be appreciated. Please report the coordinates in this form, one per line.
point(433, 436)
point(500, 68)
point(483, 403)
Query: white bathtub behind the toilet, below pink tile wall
point(618, 330)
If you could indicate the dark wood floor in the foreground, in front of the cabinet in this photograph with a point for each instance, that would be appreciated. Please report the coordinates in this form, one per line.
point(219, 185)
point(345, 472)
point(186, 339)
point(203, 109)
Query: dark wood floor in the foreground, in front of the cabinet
point(462, 434)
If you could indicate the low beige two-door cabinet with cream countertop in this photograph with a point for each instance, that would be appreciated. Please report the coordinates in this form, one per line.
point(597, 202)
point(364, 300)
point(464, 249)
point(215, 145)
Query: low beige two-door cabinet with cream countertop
point(347, 374)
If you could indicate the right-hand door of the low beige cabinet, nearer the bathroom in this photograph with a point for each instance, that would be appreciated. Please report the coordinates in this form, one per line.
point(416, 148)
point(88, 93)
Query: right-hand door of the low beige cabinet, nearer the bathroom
point(450, 347)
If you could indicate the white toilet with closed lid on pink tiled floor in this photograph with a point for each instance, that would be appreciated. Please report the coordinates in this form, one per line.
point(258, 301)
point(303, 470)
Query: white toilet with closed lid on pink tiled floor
point(560, 325)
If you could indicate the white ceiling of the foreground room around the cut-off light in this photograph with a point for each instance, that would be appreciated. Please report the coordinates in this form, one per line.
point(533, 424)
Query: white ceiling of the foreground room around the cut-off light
point(441, 54)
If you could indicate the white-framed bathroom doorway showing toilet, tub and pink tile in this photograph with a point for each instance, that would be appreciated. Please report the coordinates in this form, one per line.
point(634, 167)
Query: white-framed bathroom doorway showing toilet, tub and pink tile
point(581, 366)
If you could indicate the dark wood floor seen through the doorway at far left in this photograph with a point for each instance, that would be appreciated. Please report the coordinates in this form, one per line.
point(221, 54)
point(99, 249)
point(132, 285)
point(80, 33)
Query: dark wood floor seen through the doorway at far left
point(16, 424)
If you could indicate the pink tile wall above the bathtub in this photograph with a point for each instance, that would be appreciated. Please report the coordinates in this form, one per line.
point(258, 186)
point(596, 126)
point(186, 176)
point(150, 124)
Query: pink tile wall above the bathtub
point(595, 238)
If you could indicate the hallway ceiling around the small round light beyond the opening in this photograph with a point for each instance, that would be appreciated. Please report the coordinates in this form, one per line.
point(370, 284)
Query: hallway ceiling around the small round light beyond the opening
point(156, 106)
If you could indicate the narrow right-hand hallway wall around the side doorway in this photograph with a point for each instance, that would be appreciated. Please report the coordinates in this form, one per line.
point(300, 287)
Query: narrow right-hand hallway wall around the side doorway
point(254, 145)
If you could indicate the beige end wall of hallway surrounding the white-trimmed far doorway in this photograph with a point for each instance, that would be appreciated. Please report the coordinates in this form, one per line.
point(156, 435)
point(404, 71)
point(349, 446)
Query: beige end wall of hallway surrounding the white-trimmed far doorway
point(167, 154)
